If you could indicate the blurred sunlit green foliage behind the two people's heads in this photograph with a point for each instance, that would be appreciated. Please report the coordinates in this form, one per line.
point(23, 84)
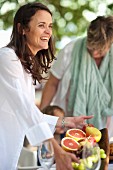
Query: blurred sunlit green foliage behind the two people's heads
point(70, 17)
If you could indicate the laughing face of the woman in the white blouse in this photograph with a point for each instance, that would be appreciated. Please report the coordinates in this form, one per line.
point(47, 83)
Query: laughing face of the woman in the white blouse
point(40, 31)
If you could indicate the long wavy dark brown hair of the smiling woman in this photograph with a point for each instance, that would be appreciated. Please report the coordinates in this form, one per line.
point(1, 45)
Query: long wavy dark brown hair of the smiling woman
point(41, 62)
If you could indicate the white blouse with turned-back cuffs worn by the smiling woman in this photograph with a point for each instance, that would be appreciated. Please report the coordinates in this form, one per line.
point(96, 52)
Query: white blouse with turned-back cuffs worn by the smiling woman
point(18, 113)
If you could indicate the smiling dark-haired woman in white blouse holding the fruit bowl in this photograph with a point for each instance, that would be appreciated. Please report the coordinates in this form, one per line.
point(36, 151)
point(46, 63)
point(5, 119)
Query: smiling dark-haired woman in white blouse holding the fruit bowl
point(23, 60)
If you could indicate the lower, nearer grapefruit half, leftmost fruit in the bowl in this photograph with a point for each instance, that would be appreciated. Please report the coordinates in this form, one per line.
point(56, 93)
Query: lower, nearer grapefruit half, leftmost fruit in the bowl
point(69, 144)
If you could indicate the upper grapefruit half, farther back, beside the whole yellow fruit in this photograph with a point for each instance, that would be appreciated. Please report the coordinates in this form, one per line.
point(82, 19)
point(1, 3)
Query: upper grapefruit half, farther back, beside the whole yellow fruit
point(76, 134)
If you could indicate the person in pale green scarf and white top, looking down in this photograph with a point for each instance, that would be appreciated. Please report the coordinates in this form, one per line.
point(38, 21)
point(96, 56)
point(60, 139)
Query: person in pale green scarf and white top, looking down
point(81, 80)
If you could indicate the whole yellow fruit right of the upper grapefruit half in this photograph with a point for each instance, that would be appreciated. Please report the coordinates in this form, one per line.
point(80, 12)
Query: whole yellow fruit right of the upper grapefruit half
point(93, 132)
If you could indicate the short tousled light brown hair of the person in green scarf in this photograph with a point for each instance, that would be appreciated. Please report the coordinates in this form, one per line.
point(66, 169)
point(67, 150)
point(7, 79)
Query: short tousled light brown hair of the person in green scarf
point(100, 33)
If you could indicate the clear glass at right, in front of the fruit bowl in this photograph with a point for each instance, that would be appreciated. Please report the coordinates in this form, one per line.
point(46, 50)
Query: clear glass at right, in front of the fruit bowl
point(91, 156)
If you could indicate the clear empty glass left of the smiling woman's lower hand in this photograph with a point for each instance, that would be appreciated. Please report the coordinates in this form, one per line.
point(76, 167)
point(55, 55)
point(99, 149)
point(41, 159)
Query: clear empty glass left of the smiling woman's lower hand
point(46, 155)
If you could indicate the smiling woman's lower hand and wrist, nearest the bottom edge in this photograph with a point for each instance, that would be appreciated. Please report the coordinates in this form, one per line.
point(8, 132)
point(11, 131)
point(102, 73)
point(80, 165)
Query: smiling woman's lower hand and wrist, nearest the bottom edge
point(63, 159)
